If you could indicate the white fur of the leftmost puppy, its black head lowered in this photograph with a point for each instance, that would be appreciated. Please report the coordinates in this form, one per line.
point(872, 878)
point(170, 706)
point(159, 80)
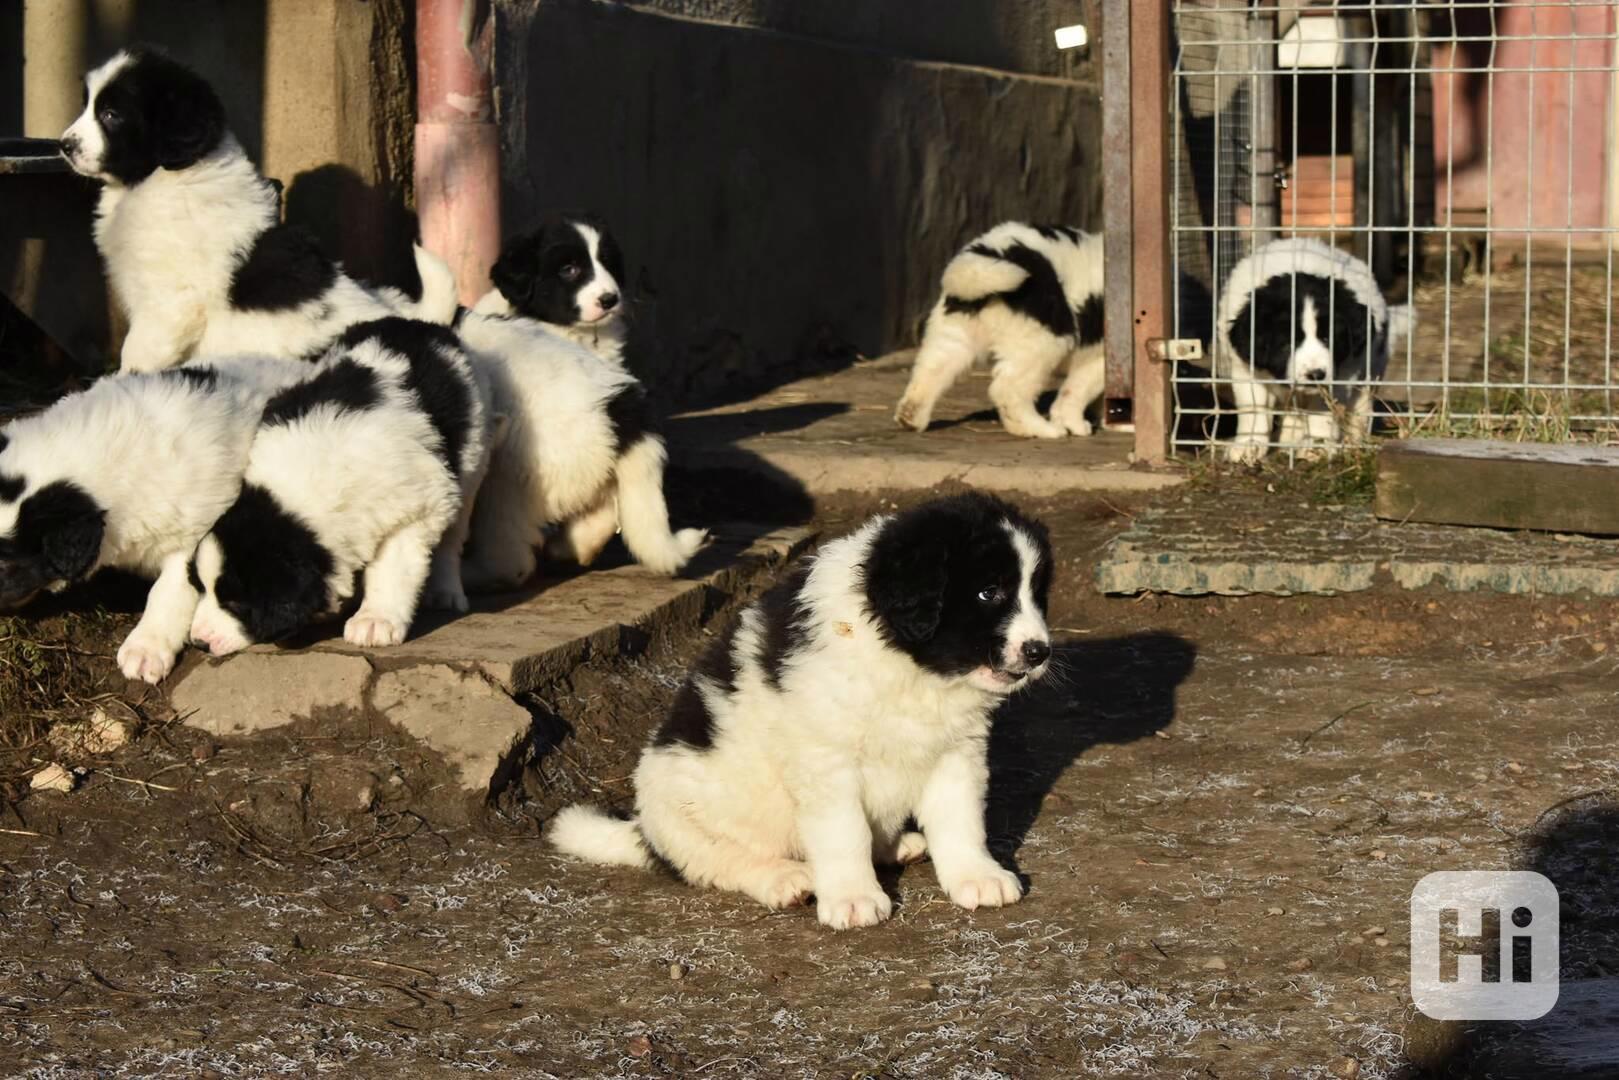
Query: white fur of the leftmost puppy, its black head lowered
point(164, 459)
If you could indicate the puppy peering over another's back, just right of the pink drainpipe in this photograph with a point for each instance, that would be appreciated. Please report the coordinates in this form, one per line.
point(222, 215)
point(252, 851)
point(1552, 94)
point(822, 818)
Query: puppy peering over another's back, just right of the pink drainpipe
point(569, 274)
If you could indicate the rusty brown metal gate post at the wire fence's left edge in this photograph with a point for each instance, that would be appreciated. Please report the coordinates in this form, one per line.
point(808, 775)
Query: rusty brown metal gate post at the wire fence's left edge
point(1152, 300)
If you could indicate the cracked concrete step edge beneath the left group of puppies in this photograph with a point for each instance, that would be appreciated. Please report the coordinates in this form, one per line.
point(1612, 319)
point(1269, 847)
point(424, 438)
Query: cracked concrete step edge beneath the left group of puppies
point(454, 686)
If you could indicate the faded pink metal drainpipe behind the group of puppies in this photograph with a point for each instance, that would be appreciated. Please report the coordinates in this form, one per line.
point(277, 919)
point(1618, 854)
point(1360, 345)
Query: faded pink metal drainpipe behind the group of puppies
point(457, 143)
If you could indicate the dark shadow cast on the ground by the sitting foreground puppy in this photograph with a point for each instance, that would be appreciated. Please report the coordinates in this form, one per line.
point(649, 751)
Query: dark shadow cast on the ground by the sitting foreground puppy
point(1102, 692)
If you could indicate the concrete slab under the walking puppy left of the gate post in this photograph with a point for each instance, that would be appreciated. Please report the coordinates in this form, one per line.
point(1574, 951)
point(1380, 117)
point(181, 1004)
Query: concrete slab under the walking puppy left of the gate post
point(838, 433)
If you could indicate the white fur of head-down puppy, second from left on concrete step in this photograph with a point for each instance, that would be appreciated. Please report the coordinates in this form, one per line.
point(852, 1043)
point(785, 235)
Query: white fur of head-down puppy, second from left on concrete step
point(375, 491)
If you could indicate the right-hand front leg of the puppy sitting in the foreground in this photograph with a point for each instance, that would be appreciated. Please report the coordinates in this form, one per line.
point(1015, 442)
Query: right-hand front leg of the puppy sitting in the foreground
point(951, 815)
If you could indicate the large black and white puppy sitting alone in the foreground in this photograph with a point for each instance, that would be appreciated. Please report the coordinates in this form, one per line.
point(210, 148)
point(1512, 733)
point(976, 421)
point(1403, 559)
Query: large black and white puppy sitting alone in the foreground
point(851, 699)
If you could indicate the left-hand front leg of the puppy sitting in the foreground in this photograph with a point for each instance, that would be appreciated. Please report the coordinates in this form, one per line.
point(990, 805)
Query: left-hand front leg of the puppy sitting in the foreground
point(836, 840)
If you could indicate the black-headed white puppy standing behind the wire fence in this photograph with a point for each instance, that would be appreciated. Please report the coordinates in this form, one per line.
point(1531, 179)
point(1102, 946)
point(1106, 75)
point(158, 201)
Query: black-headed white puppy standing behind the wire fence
point(1304, 325)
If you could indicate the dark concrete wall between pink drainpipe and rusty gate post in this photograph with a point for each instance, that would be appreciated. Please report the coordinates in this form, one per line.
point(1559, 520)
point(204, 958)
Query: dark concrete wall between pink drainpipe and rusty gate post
point(789, 179)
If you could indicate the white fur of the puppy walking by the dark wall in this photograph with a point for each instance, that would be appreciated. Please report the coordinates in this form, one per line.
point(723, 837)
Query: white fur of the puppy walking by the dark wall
point(1026, 352)
